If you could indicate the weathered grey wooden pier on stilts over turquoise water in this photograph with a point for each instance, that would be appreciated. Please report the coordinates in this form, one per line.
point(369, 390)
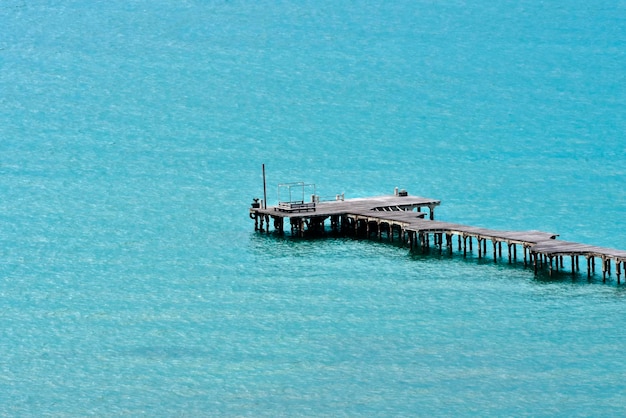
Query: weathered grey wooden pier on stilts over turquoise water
point(411, 220)
